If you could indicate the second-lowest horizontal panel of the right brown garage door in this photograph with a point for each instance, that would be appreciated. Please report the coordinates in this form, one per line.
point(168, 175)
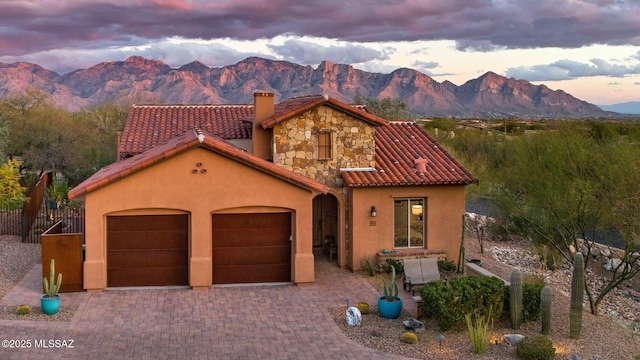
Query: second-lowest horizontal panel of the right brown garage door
point(247, 256)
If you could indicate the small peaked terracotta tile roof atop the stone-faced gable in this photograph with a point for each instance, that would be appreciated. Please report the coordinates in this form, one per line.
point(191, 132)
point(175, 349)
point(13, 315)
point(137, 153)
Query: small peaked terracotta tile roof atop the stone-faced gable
point(297, 105)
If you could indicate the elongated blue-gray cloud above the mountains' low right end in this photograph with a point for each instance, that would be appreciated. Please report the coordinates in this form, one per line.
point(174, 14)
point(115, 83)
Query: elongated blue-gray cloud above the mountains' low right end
point(569, 69)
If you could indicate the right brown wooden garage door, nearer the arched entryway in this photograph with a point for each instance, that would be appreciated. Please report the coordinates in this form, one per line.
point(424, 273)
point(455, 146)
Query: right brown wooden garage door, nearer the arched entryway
point(251, 248)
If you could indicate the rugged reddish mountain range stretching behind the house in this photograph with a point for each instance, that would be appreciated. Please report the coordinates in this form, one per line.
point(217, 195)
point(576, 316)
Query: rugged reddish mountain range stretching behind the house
point(151, 81)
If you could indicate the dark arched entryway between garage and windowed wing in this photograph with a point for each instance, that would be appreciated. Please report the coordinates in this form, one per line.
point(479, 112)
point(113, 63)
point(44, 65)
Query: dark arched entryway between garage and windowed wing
point(325, 226)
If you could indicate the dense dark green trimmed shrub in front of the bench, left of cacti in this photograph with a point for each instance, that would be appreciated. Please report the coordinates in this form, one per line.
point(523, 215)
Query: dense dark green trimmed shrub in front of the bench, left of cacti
point(447, 304)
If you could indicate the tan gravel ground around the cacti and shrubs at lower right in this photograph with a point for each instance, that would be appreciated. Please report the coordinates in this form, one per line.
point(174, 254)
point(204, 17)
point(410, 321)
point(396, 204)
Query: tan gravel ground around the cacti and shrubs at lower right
point(603, 336)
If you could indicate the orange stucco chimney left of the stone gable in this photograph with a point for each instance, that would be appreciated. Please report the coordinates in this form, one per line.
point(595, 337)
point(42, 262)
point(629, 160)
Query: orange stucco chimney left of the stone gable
point(261, 138)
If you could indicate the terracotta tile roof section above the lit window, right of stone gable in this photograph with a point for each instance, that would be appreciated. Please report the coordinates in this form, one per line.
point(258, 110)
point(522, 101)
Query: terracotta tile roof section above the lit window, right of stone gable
point(397, 147)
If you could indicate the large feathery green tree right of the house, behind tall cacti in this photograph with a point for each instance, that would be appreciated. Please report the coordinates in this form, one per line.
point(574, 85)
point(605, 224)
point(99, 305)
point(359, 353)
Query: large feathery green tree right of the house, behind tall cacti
point(569, 190)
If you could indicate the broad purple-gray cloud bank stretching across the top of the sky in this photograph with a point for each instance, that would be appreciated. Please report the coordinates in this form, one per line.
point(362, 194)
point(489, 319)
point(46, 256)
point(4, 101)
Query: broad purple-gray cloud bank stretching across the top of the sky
point(477, 25)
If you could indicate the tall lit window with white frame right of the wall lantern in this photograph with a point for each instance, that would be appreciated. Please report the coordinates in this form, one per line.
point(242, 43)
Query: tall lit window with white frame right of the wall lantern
point(408, 224)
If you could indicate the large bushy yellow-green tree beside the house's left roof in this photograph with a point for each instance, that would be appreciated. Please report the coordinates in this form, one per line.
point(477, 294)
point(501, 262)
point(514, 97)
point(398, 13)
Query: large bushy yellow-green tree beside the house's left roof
point(48, 137)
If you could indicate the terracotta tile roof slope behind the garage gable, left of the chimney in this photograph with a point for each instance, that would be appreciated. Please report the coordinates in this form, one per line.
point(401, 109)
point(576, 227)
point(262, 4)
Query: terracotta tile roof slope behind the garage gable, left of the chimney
point(149, 125)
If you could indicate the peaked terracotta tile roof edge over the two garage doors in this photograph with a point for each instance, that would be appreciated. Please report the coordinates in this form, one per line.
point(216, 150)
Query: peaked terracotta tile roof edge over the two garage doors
point(181, 143)
